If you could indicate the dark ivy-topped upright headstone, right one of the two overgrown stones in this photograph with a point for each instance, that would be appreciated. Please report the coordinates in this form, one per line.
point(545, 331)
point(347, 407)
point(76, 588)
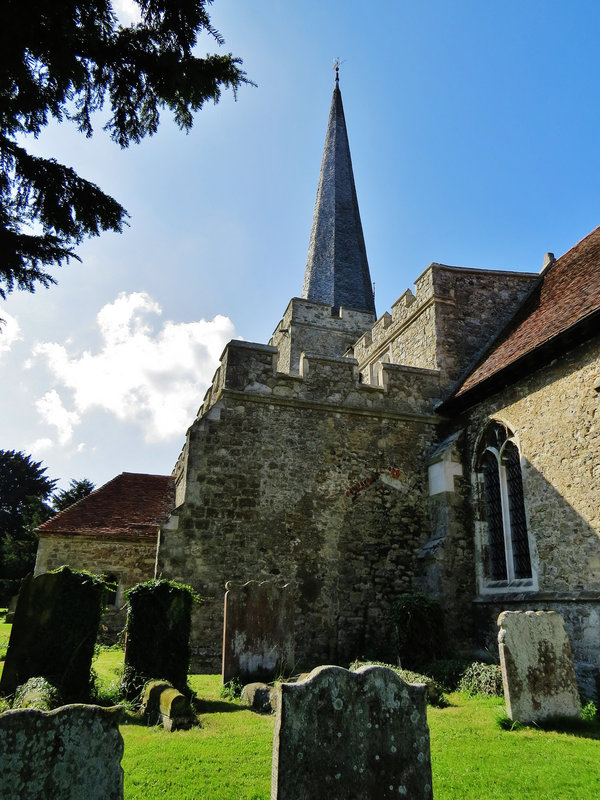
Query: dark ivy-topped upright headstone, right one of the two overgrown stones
point(158, 632)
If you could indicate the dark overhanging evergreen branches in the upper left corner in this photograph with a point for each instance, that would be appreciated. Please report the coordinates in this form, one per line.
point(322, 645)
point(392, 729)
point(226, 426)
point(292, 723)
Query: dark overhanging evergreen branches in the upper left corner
point(64, 60)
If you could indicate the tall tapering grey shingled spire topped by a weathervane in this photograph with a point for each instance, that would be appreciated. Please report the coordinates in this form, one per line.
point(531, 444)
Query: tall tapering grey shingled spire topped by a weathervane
point(337, 270)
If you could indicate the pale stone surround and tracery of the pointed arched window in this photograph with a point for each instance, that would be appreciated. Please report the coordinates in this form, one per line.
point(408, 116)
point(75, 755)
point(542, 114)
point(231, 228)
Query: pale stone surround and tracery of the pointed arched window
point(511, 584)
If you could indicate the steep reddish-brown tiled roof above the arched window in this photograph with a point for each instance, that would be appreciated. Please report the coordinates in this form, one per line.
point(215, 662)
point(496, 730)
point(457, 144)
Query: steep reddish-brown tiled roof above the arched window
point(567, 293)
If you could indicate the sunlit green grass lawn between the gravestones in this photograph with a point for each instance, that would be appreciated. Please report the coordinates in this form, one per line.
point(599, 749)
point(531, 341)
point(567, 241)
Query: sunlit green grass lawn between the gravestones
point(473, 757)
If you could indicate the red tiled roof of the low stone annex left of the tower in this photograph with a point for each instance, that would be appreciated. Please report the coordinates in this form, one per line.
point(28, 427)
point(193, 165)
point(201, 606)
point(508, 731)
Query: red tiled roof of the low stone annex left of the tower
point(132, 504)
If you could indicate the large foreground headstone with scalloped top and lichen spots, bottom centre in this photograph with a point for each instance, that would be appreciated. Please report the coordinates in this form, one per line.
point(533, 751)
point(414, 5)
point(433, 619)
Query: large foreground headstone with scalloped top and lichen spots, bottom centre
point(350, 736)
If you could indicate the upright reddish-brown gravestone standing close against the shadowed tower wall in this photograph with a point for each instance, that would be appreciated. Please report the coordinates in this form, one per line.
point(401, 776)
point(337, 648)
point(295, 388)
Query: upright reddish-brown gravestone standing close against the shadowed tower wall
point(258, 631)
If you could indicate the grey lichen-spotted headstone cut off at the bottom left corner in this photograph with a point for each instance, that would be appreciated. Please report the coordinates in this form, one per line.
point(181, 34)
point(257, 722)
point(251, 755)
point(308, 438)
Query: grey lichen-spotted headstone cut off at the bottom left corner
point(71, 753)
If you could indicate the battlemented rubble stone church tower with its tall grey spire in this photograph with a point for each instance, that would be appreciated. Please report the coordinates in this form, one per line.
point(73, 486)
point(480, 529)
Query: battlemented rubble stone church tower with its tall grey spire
point(308, 461)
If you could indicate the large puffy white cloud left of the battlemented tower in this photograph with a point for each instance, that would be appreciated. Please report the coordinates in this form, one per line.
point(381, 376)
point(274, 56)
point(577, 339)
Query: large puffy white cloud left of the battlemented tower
point(153, 378)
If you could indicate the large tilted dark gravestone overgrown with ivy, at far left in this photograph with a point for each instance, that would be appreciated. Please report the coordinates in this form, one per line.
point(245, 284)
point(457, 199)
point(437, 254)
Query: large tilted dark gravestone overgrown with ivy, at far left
point(54, 633)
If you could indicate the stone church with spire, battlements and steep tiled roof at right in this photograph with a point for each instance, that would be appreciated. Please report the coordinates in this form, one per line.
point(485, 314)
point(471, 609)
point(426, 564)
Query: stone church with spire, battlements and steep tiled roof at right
point(450, 445)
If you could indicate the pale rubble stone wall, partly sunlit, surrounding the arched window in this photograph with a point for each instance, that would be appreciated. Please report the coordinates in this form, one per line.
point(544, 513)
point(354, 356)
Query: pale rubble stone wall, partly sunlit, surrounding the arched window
point(555, 416)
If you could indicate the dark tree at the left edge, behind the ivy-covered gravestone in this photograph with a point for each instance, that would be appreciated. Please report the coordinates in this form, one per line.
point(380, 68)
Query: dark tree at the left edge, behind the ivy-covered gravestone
point(24, 493)
